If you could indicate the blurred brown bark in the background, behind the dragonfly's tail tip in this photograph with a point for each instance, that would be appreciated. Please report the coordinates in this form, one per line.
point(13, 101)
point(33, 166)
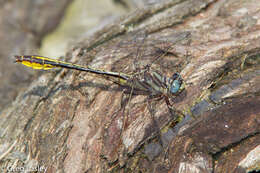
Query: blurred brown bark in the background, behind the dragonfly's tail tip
point(23, 24)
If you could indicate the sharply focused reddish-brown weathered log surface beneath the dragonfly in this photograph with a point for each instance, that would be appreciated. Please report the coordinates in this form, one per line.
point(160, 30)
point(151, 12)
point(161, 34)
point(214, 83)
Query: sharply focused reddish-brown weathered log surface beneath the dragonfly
point(72, 122)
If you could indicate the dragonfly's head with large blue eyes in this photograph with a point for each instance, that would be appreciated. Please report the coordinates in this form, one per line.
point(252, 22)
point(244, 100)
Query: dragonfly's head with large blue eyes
point(176, 83)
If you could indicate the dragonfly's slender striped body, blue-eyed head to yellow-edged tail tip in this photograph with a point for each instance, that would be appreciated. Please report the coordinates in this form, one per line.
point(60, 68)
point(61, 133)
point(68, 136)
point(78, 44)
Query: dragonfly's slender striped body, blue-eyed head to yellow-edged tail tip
point(147, 81)
